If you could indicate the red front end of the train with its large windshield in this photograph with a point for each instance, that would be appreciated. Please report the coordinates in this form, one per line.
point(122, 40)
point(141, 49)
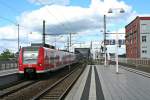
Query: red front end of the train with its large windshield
point(31, 60)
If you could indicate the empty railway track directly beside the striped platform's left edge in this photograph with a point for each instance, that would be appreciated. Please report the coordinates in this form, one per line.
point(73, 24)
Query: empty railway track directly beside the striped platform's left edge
point(60, 88)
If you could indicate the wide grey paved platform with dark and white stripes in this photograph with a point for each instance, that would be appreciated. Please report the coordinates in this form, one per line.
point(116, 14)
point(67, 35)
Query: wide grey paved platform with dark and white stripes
point(103, 83)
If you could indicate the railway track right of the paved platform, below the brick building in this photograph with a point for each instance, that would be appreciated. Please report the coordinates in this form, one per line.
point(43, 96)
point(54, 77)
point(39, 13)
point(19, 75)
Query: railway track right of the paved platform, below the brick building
point(145, 74)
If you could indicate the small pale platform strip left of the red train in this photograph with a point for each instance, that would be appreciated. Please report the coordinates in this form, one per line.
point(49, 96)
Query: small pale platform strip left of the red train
point(8, 72)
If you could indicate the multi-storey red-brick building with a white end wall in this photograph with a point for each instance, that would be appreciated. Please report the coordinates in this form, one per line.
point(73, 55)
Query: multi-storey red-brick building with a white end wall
point(138, 38)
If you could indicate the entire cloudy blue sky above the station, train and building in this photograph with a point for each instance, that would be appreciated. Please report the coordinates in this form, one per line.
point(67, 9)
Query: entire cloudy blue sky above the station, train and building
point(84, 18)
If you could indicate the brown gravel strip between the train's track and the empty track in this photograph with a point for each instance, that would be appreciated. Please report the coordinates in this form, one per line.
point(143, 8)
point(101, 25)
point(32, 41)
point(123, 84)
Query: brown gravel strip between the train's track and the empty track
point(30, 91)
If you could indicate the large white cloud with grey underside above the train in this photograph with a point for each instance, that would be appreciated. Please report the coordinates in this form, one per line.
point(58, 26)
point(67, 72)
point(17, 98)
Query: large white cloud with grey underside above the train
point(59, 19)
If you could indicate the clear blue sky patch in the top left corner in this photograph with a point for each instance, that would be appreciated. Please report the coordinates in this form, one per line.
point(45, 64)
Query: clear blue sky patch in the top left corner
point(13, 8)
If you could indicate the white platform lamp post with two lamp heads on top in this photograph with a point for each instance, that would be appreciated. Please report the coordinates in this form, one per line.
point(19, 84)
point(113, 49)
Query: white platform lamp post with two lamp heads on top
point(121, 10)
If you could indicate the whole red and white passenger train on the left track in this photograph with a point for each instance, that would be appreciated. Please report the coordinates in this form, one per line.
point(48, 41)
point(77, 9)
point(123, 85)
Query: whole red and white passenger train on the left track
point(41, 59)
